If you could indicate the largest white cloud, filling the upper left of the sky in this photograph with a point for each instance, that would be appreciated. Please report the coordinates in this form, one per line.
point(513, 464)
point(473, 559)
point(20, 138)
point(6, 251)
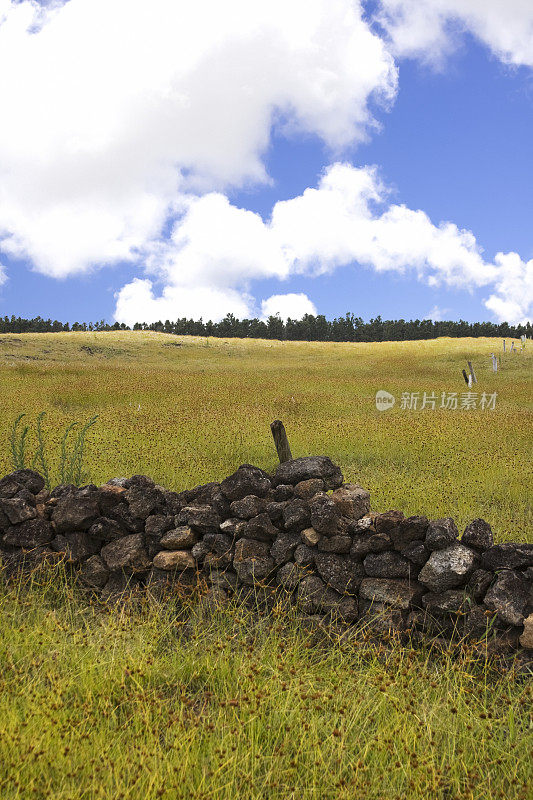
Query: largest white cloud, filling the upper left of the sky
point(112, 109)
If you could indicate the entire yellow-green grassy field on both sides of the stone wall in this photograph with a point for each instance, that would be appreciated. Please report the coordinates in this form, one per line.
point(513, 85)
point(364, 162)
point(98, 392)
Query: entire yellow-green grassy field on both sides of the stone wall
point(155, 701)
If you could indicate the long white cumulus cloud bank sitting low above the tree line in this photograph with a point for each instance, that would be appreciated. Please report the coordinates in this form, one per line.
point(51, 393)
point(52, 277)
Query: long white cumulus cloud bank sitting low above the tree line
point(346, 219)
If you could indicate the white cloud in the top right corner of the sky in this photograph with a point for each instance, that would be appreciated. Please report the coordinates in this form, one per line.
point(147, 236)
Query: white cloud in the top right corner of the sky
point(431, 28)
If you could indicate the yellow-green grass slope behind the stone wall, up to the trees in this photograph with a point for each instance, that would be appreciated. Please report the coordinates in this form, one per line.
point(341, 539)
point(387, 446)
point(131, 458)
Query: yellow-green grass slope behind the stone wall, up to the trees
point(192, 413)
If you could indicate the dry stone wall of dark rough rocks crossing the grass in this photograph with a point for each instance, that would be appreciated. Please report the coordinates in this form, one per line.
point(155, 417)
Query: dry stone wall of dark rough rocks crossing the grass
point(301, 531)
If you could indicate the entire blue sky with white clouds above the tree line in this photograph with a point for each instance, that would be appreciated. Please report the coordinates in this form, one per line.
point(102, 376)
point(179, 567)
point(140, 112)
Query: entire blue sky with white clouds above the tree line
point(454, 142)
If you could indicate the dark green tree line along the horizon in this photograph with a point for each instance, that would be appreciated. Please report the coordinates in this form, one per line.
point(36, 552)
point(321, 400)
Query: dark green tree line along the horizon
point(310, 328)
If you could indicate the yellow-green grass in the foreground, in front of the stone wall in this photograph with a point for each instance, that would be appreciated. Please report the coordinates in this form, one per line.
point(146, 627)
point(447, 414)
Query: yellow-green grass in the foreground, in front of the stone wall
point(149, 702)
